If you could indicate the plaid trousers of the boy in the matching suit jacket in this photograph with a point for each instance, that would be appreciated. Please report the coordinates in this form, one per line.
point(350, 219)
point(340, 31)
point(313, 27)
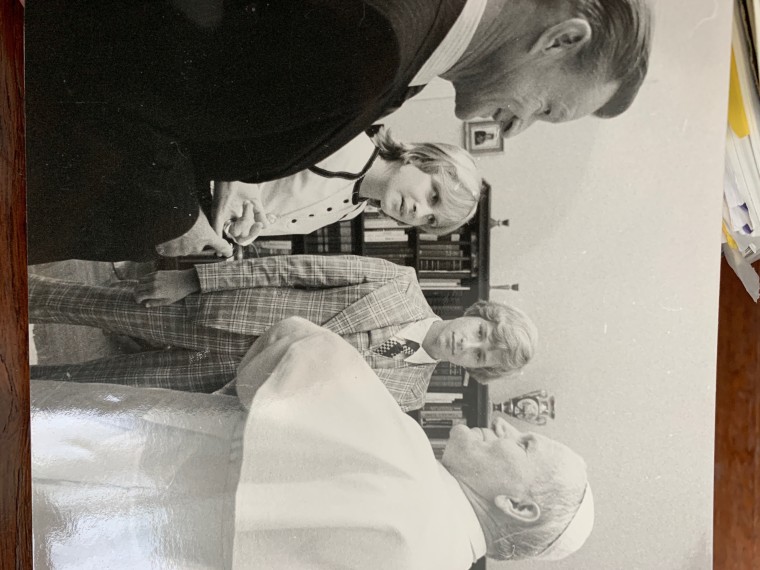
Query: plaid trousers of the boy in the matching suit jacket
point(188, 356)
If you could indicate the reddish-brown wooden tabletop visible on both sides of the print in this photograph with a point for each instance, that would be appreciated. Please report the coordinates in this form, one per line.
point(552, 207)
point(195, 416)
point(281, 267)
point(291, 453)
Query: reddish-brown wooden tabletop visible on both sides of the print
point(737, 494)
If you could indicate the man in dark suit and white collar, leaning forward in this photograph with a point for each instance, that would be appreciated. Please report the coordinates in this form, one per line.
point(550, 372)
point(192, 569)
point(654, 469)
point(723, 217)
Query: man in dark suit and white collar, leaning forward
point(135, 105)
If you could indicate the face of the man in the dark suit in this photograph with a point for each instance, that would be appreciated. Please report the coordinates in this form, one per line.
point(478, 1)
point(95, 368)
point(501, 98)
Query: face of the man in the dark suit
point(535, 88)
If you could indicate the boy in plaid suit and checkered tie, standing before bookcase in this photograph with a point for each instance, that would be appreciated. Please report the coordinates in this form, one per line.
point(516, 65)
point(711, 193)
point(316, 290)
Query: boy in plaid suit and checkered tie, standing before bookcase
point(212, 314)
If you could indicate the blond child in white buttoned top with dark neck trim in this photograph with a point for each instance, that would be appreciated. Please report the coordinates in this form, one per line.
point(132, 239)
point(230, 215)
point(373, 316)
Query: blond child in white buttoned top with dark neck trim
point(433, 186)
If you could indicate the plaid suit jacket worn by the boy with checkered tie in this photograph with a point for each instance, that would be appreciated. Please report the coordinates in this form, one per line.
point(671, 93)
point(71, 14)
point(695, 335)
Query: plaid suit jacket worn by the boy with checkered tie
point(364, 300)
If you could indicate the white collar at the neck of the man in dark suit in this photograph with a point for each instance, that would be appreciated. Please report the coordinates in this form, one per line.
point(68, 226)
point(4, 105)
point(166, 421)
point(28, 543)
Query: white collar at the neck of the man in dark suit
point(453, 45)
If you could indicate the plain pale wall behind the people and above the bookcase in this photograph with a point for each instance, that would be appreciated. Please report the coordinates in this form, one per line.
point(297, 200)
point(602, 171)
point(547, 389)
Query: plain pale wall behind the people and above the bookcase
point(615, 242)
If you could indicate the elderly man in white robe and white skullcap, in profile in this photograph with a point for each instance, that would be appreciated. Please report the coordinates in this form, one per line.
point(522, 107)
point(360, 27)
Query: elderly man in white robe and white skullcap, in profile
point(331, 474)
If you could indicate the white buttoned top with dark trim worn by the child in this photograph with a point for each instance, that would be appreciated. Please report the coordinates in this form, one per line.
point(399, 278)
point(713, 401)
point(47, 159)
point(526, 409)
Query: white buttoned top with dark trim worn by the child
point(315, 197)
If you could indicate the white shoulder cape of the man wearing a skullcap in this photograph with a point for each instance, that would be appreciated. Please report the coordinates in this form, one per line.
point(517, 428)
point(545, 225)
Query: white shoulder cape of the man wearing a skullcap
point(335, 476)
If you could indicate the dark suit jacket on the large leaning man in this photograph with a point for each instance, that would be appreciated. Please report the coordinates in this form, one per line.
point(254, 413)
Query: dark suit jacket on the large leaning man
point(133, 103)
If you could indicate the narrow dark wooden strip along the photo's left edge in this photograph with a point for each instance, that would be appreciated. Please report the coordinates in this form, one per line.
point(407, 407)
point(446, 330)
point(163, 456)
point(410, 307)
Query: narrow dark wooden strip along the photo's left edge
point(15, 494)
